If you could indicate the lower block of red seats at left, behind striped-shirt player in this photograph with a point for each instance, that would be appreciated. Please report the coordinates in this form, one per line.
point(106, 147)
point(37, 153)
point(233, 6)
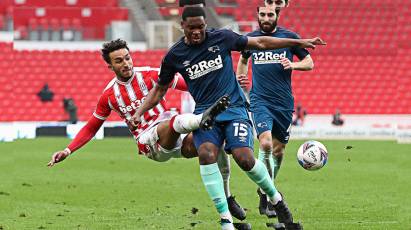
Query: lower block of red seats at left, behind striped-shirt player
point(81, 75)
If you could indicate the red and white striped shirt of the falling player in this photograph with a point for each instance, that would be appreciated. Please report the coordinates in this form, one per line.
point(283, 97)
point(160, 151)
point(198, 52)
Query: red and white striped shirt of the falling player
point(125, 97)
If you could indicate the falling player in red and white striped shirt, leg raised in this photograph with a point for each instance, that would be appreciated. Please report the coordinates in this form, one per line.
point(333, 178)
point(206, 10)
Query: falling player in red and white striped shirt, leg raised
point(158, 136)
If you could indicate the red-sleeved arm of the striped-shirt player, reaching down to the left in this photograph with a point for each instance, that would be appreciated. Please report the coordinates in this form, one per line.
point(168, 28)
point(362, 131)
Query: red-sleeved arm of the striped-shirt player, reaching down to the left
point(86, 133)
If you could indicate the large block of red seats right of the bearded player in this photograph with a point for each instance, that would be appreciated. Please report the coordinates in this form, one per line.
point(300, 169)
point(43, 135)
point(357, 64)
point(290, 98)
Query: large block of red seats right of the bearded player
point(355, 71)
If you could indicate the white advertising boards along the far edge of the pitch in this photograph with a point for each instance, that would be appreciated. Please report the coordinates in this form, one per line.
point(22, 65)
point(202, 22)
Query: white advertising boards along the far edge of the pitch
point(366, 127)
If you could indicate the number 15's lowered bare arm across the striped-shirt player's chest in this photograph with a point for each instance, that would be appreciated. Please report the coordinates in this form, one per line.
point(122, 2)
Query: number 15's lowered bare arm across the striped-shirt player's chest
point(153, 98)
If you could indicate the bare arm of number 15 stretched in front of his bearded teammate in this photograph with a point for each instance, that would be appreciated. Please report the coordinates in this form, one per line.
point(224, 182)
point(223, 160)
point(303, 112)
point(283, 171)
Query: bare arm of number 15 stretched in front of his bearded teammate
point(270, 43)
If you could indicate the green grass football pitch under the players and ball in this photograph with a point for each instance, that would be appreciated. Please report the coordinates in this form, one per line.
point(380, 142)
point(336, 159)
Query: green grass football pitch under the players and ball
point(106, 185)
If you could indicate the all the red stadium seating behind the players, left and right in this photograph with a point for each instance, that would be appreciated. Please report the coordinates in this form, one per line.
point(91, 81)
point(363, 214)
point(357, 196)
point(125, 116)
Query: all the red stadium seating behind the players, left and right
point(365, 68)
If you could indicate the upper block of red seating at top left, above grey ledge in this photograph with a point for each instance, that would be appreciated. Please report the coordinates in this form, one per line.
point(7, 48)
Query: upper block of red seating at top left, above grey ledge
point(85, 17)
